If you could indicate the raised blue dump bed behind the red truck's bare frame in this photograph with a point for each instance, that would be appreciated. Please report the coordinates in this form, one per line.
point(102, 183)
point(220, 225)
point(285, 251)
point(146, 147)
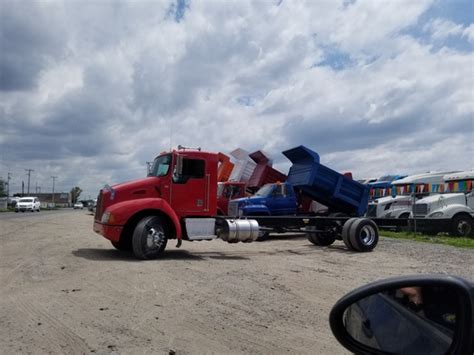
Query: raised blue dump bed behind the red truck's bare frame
point(325, 185)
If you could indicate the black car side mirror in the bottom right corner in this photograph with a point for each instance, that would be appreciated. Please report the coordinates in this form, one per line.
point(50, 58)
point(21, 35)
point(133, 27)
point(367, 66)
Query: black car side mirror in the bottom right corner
point(407, 315)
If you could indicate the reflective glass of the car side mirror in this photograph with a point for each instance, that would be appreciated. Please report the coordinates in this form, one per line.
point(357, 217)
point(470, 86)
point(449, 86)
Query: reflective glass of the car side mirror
point(408, 320)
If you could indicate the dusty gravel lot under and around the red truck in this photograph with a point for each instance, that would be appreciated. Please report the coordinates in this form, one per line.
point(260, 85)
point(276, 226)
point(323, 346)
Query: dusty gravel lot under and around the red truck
point(64, 289)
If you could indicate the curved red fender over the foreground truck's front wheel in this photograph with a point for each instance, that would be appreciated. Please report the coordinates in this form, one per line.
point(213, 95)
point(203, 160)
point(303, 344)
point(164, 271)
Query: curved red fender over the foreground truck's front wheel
point(122, 211)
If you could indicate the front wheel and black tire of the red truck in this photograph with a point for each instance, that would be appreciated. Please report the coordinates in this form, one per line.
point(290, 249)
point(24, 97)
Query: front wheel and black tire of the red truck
point(149, 237)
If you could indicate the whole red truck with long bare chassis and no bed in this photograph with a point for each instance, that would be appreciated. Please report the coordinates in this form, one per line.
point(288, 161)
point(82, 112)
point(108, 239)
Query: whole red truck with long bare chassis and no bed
point(178, 200)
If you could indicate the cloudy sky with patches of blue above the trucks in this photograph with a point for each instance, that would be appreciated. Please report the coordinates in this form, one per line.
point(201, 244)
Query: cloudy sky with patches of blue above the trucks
point(91, 90)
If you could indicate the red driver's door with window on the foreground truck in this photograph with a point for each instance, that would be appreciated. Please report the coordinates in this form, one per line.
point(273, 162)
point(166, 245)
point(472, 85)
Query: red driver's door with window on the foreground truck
point(189, 193)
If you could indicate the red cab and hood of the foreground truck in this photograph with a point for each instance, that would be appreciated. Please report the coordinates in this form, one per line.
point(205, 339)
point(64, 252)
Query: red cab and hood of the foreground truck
point(181, 183)
